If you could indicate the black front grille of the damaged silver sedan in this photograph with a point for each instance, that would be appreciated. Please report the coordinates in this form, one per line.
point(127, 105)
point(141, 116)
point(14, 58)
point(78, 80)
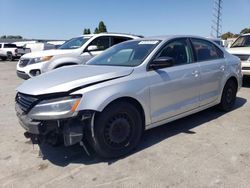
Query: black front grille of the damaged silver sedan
point(25, 102)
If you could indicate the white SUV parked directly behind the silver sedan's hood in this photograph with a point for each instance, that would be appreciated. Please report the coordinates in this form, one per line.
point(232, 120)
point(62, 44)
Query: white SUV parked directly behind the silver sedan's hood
point(77, 50)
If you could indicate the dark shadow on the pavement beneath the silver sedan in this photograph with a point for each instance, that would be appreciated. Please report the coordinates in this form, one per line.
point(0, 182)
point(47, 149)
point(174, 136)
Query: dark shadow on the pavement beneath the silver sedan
point(62, 156)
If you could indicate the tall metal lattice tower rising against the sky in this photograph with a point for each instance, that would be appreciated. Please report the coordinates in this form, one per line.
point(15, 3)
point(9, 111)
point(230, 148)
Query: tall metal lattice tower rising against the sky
point(216, 20)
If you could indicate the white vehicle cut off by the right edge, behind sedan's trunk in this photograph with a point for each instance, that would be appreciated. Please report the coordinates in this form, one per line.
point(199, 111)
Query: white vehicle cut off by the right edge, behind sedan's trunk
point(241, 49)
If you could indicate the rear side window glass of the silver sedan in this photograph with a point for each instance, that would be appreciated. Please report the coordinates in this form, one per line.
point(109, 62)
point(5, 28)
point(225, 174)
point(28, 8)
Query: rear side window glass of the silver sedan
point(206, 50)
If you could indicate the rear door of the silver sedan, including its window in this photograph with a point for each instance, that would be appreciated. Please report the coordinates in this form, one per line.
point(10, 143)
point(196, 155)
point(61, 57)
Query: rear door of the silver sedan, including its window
point(212, 69)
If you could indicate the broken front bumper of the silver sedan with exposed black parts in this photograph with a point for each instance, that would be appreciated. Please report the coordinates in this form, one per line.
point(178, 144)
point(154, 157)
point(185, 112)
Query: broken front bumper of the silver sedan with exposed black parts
point(69, 131)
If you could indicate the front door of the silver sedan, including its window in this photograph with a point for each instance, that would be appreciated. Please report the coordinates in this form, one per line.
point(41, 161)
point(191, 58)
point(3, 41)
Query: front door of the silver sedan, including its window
point(174, 90)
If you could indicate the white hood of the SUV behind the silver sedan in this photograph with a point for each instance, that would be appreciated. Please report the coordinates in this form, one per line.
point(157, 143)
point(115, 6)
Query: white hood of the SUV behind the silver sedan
point(46, 53)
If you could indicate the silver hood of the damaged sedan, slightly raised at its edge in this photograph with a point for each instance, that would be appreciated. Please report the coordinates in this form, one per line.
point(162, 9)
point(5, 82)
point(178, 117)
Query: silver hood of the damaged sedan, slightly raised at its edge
point(67, 78)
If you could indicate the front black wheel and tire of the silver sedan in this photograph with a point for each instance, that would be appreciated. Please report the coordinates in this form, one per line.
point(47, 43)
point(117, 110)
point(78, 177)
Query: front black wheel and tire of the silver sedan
point(117, 130)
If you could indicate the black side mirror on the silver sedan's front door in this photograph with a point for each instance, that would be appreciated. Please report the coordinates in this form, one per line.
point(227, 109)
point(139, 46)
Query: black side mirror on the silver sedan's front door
point(161, 62)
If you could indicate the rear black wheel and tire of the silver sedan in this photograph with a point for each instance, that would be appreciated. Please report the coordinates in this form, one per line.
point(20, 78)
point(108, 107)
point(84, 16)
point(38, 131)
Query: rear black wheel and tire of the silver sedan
point(228, 97)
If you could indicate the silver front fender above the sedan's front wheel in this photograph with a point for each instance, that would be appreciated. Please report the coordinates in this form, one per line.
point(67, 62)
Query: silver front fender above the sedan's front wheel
point(98, 96)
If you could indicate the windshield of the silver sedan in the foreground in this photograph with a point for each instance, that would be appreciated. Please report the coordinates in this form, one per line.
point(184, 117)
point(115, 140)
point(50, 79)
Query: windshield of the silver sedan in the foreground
point(130, 54)
